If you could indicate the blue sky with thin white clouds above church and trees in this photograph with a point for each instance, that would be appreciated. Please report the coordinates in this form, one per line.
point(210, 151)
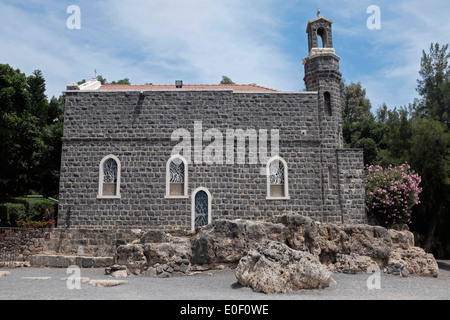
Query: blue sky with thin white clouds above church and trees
point(199, 41)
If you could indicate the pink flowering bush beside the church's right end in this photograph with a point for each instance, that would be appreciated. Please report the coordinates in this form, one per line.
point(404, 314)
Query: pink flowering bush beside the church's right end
point(391, 193)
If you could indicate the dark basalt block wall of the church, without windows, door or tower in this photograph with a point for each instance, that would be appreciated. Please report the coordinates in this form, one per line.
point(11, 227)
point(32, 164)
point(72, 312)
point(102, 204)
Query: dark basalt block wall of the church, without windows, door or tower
point(137, 129)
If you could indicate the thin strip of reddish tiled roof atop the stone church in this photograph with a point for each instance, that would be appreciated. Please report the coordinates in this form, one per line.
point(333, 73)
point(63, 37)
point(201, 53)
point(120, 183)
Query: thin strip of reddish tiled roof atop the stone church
point(234, 87)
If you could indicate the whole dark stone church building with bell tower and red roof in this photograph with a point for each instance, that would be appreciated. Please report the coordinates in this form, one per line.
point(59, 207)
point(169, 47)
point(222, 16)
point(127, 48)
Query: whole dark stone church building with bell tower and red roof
point(121, 169)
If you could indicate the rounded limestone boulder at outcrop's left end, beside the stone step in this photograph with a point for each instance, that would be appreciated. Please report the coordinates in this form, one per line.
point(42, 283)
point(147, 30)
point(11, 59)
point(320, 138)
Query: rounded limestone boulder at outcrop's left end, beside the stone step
point(133, 257)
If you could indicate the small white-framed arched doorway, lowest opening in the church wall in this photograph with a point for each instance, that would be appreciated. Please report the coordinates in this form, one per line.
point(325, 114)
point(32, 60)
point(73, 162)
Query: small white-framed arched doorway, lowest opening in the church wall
point(201, 208)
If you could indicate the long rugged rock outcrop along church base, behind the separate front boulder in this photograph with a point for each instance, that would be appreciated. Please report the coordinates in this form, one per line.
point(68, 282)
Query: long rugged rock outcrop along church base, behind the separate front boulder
point(339, 248)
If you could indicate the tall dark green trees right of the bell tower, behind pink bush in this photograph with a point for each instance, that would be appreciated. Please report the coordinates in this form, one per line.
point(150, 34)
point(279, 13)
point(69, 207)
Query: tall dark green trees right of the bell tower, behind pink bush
point(417, 134)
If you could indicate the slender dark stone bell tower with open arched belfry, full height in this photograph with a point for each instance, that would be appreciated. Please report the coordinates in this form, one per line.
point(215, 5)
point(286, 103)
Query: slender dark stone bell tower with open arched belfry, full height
point(322, 76)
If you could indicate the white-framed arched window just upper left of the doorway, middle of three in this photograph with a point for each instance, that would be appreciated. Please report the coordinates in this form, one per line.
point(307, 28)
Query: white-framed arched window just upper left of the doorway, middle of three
point(176, 177)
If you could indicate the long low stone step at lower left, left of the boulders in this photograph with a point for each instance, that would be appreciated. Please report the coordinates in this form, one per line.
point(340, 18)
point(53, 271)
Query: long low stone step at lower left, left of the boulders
point(65, 261)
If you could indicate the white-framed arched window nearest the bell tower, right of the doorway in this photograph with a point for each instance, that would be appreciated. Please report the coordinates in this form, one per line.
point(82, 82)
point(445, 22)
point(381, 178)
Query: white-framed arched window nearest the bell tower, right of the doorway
point(277, 179)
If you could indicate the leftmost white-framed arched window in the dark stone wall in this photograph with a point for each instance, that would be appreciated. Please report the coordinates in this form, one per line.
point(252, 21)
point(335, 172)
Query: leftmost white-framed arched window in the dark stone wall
point(109, 177)
